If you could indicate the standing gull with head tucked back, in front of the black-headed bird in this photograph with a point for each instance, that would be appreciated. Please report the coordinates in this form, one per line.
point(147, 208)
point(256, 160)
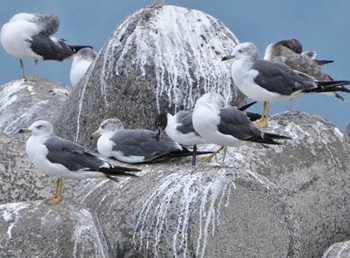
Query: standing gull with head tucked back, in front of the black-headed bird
point(225, 125)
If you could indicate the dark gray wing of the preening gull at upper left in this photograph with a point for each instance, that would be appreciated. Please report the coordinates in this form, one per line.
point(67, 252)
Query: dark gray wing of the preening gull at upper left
point(42, 45)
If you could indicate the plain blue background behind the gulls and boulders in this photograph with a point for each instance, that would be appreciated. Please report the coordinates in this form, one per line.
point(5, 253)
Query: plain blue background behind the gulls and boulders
point(323, 26)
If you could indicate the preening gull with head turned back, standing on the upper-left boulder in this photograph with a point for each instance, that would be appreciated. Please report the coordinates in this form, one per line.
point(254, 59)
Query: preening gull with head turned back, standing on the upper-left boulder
point(29, 35)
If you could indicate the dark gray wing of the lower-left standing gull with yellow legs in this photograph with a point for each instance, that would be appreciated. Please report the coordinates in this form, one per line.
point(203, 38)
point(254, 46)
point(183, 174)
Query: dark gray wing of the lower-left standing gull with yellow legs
point(72, 155)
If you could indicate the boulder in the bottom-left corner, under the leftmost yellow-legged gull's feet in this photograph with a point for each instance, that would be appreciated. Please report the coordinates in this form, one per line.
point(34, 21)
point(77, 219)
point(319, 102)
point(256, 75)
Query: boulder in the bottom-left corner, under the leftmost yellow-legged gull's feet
point(38, 230)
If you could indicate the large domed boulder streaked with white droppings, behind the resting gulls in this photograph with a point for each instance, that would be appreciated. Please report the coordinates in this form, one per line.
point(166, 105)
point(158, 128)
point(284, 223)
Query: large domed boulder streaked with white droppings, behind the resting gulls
point(160, 57)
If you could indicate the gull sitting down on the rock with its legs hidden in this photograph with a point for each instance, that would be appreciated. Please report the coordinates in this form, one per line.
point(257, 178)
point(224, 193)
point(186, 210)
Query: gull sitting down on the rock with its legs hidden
point(135, 146)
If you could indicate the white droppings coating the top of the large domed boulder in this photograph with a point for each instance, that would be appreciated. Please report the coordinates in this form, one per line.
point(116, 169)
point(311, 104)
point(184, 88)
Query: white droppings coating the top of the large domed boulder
point(184, 47)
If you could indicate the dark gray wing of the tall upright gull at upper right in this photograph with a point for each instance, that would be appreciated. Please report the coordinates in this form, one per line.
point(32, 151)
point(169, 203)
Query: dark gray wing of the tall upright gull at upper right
point(278, 77)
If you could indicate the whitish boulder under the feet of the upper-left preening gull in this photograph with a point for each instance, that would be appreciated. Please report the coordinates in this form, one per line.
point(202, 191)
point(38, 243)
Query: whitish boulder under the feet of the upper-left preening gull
point(23, 102)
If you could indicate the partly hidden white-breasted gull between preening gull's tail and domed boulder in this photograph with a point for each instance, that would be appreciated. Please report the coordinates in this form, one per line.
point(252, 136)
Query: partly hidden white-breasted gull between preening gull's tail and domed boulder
point(80, 64)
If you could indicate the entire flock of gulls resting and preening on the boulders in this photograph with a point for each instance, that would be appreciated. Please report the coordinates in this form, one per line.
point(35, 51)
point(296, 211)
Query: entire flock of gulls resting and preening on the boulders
point(286, 72)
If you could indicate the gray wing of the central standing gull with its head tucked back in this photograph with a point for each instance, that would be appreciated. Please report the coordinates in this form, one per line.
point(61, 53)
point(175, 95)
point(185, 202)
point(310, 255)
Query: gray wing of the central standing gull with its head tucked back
point(236, 123)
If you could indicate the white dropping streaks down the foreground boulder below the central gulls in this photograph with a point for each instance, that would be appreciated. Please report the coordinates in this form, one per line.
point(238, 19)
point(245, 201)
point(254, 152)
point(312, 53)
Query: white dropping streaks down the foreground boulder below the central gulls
point(181, 188)
